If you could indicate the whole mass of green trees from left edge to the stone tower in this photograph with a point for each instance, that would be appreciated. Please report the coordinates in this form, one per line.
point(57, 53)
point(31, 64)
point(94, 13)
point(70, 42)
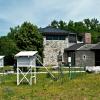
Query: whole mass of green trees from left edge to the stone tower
point(24, 37)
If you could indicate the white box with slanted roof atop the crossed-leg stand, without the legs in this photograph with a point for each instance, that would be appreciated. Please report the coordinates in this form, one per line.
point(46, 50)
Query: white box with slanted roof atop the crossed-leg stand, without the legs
point(26, 59)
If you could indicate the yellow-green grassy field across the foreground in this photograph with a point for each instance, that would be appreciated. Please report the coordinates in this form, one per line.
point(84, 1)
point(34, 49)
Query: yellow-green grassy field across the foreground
point(82, 87)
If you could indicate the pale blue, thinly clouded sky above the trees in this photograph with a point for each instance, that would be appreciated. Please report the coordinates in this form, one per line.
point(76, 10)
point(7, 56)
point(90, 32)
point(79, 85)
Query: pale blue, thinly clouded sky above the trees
point(42, 12)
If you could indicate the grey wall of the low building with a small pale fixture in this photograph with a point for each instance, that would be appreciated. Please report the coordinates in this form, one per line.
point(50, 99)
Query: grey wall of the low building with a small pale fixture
point(85, 58)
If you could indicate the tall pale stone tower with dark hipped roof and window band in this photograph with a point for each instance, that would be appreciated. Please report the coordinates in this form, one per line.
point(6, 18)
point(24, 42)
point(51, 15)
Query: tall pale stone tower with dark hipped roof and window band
point(55, 41)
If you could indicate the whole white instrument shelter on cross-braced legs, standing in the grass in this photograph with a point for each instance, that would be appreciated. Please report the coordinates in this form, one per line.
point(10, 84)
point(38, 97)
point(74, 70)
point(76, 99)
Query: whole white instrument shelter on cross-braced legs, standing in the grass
point(26, 59)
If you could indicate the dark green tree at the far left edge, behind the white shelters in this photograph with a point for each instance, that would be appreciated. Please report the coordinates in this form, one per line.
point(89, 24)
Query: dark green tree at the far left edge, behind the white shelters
point(8, 48)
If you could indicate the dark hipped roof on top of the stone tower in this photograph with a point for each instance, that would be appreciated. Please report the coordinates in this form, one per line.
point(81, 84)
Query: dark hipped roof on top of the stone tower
point(53, 31)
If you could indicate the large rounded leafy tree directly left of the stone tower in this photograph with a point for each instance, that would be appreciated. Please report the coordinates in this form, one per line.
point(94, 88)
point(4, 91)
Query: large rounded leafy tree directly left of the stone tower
point(27, 37)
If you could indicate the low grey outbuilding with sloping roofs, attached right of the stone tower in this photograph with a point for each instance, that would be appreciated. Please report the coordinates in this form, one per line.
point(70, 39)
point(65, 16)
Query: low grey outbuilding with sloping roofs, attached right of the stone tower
point(81, 54)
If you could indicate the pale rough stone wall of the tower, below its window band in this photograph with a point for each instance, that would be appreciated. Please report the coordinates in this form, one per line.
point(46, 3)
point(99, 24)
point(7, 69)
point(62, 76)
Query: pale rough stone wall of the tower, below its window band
point(51, 50)
